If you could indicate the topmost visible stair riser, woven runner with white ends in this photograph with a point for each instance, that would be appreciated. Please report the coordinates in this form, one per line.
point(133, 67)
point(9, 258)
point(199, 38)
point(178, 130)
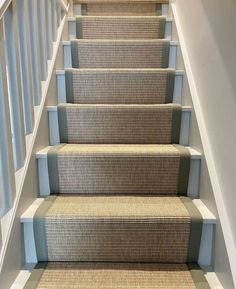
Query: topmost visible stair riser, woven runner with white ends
point(148, 9)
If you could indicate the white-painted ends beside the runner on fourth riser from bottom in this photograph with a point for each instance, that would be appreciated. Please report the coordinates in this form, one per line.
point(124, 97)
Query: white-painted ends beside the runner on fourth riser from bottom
point(61, 85)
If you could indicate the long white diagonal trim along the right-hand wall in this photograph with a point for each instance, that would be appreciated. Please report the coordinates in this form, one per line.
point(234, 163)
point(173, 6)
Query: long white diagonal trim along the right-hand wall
point(218, 194)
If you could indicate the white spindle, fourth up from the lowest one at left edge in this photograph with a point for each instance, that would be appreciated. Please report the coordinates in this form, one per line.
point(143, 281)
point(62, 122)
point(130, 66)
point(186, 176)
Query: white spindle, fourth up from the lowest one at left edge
point(35, 51)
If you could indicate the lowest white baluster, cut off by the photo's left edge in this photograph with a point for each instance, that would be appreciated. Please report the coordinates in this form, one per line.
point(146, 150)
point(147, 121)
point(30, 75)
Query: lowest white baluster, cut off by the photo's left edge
point(7, 177)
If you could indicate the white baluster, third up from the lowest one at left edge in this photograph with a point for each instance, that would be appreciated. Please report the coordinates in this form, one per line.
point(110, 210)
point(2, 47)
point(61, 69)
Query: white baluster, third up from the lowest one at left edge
point(26, 71)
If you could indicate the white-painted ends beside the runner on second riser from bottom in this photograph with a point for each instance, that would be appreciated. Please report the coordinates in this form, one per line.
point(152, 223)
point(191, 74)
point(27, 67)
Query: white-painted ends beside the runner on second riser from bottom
point(194, 176)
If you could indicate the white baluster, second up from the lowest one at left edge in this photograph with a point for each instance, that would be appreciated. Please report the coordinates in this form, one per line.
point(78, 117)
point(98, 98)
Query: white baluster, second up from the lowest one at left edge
point(15, 92)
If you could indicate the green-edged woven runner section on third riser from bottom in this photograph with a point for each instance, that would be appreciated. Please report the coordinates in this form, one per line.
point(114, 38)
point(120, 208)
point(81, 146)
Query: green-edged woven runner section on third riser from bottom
point(137, 124)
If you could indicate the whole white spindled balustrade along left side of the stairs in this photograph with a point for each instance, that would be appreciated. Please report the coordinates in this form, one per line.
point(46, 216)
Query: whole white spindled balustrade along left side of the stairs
point(28, 29)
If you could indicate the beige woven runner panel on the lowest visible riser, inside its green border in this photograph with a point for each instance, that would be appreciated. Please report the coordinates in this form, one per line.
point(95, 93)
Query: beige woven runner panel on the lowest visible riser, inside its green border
point(111, 241)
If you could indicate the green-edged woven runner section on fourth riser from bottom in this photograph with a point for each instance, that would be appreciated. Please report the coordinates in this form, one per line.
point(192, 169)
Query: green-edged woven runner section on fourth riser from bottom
point(127, 86)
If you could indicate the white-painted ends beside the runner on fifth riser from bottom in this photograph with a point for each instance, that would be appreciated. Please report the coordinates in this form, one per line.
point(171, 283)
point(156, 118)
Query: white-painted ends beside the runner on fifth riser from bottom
point(68, 57)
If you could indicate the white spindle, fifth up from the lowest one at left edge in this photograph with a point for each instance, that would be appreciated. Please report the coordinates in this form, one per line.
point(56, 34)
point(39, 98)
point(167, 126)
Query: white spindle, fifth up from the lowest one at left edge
point(42, 38)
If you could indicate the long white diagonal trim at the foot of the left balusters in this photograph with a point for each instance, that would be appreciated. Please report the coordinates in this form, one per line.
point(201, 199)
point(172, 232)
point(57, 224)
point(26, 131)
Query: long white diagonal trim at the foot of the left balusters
point(20, 179)
